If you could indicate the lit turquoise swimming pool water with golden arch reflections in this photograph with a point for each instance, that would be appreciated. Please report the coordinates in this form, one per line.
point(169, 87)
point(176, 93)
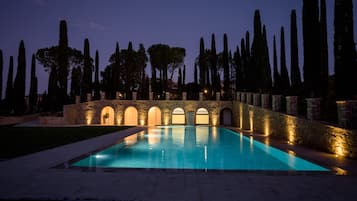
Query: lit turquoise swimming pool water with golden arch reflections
point(195, 147)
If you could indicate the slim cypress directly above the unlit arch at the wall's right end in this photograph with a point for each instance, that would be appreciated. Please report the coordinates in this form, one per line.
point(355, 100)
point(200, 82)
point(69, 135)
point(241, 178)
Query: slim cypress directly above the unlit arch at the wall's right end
point(225, 61)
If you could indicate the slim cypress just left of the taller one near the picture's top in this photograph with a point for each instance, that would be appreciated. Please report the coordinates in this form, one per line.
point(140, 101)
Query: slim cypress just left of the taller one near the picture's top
point(285, 82)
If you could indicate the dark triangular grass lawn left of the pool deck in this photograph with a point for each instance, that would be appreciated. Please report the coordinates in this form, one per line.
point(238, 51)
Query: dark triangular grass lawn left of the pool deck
point(18, 141)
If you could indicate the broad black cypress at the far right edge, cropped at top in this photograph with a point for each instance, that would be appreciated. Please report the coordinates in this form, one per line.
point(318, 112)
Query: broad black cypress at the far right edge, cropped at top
point(344, 50)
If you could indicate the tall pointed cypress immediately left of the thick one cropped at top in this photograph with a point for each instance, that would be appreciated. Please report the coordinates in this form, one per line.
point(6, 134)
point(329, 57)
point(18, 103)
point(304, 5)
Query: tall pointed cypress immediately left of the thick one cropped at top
point(295, 70)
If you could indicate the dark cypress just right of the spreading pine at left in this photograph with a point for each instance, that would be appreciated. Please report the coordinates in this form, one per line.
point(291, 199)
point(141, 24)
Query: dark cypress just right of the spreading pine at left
point(86, 84)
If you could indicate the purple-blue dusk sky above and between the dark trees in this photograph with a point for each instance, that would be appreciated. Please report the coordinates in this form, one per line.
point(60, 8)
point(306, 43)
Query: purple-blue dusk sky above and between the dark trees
point(174, 22)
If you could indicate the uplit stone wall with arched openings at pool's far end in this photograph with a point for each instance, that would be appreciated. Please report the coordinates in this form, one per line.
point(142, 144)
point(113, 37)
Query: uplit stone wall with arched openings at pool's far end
point(90, 112)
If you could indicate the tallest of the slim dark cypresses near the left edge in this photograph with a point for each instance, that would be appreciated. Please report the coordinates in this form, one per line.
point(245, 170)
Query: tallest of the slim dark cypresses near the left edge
point(19, 84)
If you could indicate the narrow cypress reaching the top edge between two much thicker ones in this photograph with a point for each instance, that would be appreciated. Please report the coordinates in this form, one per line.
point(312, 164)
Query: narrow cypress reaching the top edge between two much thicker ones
point(324, 50)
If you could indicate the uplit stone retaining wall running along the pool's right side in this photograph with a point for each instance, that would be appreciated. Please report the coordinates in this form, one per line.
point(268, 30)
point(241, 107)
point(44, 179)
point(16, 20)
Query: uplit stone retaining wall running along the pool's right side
point(296, 130)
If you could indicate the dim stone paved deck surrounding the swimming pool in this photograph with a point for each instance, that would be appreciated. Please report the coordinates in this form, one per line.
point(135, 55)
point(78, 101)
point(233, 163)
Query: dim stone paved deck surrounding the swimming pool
point(33, 177)
